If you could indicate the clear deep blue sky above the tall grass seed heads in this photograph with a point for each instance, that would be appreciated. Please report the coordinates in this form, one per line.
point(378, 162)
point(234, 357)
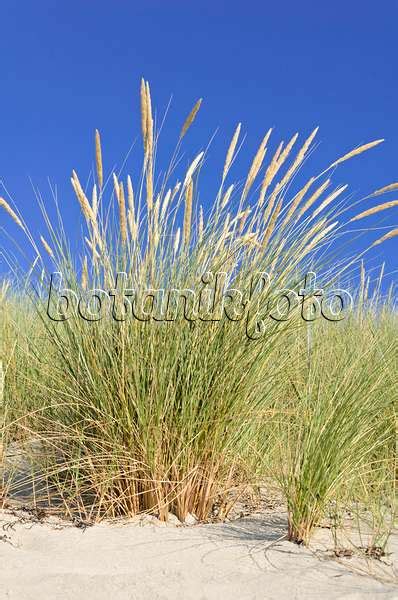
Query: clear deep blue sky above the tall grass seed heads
point(69, 67)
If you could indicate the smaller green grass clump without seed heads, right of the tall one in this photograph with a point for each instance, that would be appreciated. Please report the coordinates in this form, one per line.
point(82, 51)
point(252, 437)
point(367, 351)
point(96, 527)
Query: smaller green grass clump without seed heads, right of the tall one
point(340, 441)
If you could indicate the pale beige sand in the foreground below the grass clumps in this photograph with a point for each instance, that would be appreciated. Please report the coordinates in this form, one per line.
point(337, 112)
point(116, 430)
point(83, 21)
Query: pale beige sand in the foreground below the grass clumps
point(142, 559)
